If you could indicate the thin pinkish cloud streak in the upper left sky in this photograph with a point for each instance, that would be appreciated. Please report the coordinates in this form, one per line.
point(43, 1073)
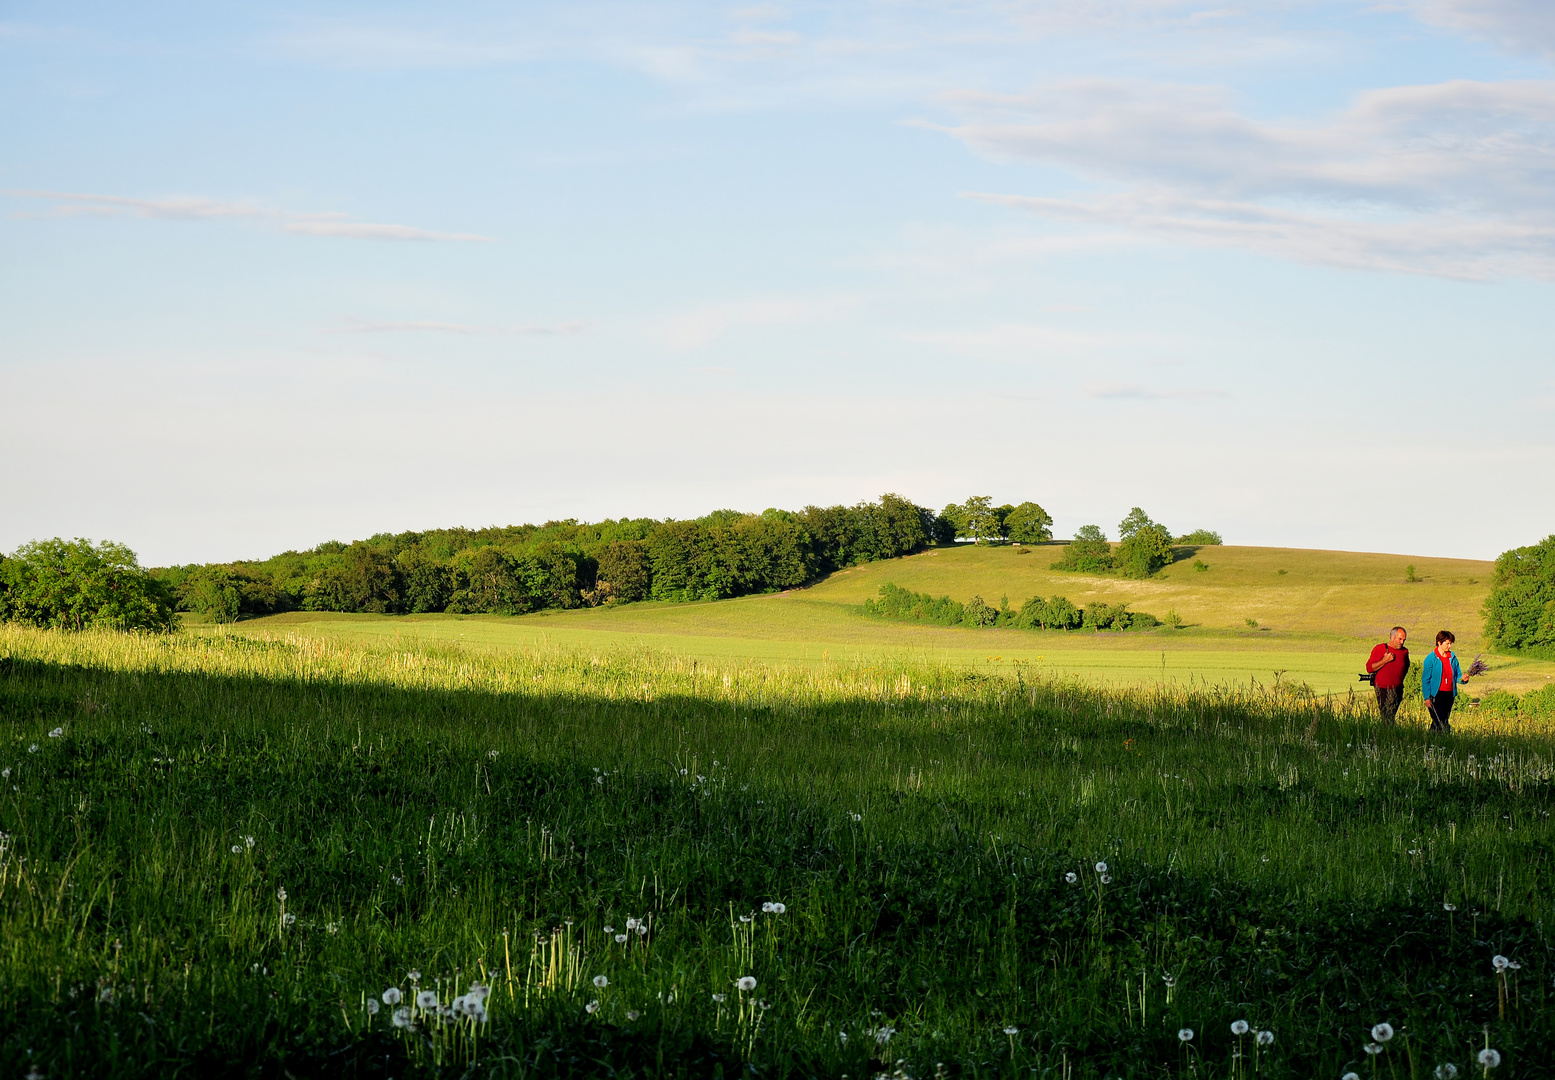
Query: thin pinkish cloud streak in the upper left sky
point(75, 204)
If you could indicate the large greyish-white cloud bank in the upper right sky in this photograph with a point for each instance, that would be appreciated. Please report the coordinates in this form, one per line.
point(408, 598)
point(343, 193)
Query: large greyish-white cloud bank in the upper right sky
point(1452, 179)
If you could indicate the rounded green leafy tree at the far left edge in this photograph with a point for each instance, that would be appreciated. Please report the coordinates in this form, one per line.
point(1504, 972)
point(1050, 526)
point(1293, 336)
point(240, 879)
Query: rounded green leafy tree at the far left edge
point(74, 585)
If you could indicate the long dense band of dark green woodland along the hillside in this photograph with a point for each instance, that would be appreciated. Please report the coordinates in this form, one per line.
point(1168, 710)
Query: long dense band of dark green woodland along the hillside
point(562, 565)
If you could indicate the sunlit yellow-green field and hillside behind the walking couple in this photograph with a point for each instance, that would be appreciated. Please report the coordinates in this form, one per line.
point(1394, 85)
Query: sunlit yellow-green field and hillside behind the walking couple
point(1315, 622)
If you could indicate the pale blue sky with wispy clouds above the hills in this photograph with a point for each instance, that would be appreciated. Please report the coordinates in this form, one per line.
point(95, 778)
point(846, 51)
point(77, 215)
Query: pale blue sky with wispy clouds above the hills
point(276, 274)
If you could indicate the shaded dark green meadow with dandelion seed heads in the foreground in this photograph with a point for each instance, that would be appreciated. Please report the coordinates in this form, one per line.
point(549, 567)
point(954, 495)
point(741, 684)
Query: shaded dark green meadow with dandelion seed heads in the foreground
point(439, 812)
